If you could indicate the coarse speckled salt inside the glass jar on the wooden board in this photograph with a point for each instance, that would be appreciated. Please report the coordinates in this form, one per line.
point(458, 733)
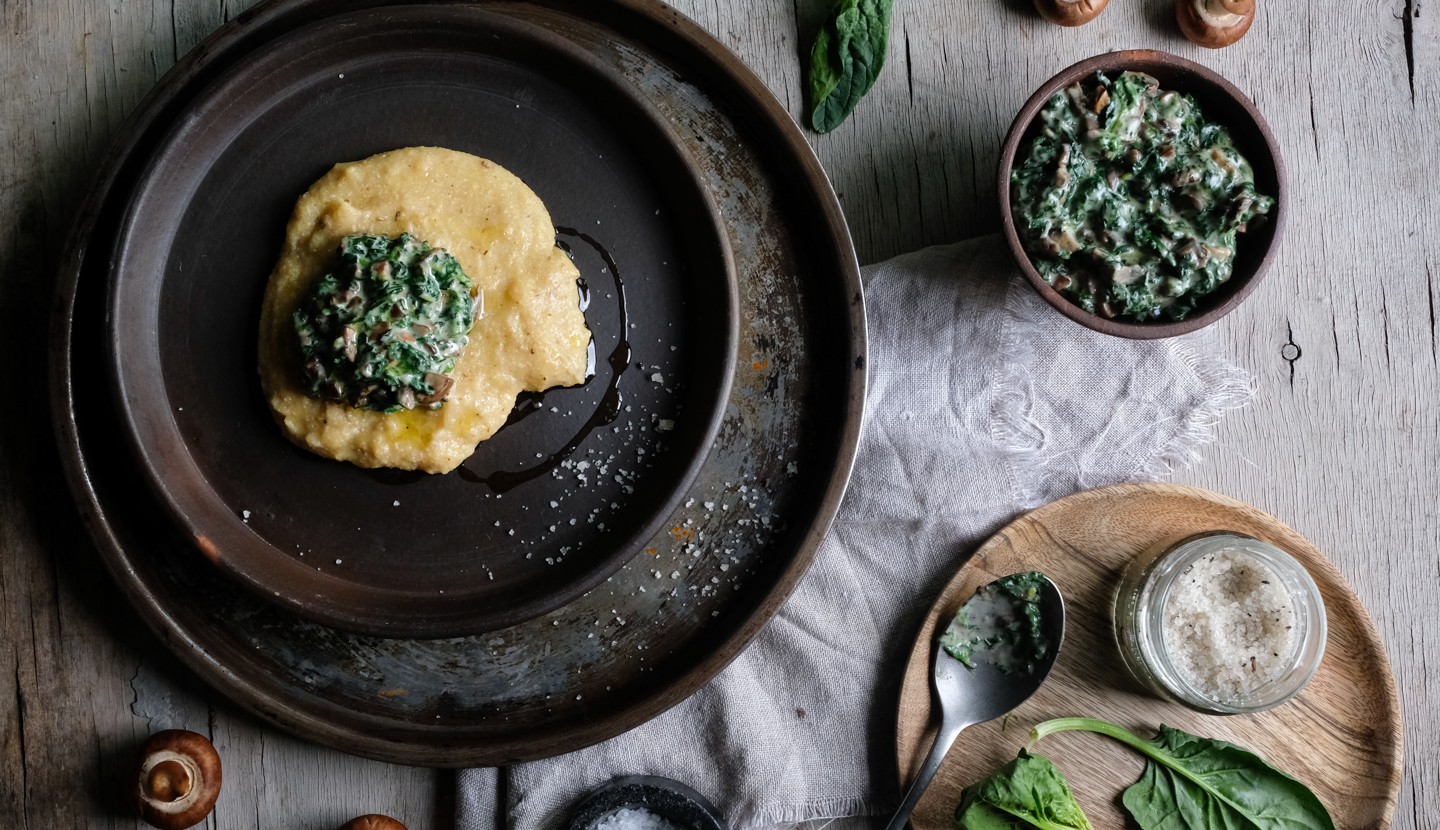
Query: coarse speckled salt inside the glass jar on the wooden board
point(1229, 626)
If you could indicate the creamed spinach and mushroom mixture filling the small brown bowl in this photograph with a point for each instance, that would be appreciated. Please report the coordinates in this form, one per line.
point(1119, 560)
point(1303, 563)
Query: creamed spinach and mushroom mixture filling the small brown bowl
point(1131, 202)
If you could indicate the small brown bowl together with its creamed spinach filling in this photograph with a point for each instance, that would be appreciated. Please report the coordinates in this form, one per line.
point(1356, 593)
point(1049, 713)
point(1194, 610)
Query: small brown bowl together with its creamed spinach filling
point(1141, 194)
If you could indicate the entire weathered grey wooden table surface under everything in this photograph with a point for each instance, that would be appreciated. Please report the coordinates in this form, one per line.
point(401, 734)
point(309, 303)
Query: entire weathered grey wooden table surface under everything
point(1343, 440)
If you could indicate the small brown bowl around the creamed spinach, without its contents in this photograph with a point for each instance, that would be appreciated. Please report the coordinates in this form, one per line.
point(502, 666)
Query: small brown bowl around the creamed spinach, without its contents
point(1220, 102)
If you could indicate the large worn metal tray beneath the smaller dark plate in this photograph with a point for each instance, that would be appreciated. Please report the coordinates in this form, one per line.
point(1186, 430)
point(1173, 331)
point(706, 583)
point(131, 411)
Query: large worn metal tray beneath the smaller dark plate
point(665, 623)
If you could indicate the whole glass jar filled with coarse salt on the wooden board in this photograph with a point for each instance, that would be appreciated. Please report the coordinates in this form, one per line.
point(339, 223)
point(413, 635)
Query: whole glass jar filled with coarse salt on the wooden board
point(1163, 646)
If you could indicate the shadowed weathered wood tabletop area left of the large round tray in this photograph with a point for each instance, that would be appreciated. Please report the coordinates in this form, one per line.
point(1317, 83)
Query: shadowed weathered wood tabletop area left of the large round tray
point(81, 681)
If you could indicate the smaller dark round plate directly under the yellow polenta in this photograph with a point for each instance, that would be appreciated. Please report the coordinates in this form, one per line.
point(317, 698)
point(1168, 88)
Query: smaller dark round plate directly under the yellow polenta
point(578, 481)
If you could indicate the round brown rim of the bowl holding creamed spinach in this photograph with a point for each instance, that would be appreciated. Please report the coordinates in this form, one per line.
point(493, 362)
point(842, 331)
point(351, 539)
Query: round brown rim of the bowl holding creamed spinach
point(1143, 60)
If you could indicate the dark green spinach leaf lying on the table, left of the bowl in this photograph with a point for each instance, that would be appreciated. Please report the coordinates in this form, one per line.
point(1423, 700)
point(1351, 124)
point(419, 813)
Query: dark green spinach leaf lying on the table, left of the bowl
point(847, 58)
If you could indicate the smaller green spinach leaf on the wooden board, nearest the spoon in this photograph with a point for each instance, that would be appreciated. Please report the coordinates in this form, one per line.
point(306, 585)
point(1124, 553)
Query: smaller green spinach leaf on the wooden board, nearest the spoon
point(1026, 793)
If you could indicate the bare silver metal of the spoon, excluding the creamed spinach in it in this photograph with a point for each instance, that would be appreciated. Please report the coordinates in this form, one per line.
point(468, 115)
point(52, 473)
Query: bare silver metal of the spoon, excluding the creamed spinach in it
point(970, 697)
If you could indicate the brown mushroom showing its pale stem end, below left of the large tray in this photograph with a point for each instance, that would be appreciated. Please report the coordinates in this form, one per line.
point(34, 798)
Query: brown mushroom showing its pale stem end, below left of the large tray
point(179, 780)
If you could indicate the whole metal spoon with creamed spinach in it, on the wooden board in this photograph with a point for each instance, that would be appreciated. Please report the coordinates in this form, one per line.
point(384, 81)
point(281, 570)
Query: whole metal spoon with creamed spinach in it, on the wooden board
point(994, 655)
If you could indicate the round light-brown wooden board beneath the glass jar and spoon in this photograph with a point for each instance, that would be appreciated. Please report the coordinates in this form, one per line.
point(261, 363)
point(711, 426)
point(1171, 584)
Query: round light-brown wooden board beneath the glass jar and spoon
point(1341, 736)
